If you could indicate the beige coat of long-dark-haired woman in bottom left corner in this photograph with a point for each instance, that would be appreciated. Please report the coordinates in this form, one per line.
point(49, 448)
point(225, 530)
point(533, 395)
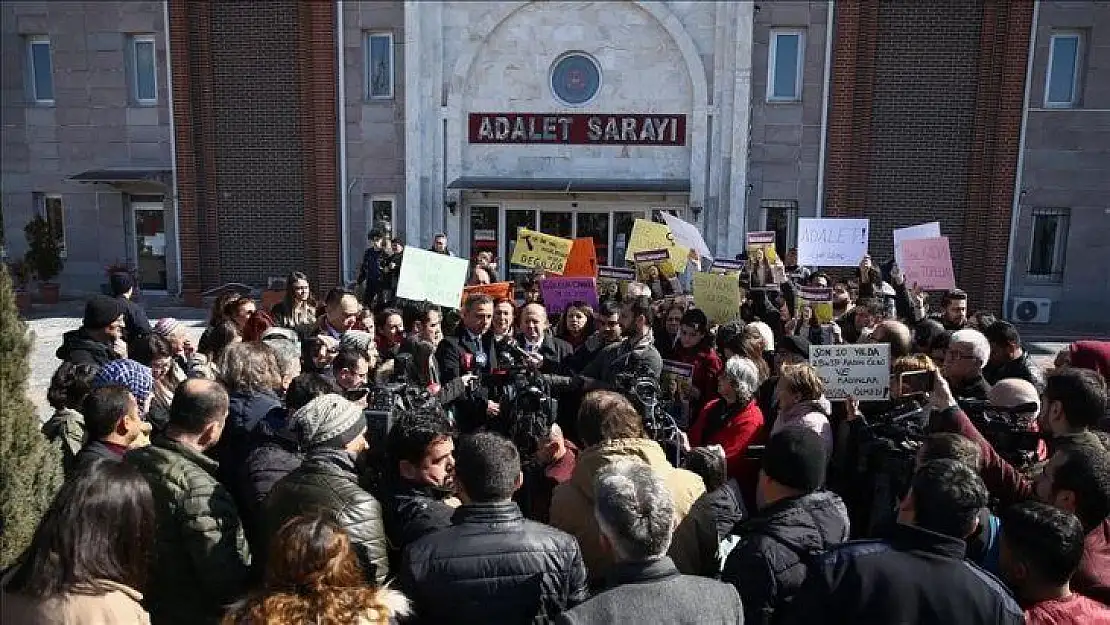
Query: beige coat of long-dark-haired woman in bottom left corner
point(120, 606)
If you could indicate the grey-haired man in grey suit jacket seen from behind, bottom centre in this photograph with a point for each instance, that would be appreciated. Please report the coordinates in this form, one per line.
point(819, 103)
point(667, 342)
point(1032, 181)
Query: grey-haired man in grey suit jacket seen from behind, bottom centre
point(635, 513)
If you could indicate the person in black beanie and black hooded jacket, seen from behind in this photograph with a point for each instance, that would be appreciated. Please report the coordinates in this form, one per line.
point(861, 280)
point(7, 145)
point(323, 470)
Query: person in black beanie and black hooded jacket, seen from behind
point(796, 522)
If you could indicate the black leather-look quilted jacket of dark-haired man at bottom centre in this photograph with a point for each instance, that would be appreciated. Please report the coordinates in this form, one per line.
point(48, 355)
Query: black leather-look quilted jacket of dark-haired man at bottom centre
point(493, 567)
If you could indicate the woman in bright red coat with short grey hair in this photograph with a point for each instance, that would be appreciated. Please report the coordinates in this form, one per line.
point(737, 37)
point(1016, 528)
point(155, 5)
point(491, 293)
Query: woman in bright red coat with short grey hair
point(734, 422)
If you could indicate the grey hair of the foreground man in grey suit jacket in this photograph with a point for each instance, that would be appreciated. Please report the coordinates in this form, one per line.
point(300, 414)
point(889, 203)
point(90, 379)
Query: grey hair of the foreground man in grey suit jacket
point(635, 511)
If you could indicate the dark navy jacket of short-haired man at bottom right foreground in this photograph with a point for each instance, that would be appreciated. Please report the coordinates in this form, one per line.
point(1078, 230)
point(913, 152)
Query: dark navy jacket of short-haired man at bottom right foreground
point(915, 578)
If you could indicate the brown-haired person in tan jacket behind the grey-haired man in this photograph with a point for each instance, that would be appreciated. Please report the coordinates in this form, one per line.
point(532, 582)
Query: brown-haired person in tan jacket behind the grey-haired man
point(612, 431)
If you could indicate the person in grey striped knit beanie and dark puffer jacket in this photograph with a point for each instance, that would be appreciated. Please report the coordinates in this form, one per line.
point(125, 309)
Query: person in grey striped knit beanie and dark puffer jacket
point(334, 432)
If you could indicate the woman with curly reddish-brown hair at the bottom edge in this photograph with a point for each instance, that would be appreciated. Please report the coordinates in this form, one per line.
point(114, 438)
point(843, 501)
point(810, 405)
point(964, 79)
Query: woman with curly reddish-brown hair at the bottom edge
point(314, 577)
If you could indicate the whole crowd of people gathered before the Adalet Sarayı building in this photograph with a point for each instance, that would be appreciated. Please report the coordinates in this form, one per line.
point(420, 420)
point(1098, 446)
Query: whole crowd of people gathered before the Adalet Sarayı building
point(254, 478)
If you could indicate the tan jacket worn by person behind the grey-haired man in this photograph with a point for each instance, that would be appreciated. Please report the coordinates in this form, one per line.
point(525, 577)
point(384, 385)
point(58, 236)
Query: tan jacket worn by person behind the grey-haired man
point(573, 502)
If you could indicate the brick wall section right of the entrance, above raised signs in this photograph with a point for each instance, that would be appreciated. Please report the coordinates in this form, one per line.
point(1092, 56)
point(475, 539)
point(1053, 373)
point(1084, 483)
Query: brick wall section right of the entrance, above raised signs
point(924, 123)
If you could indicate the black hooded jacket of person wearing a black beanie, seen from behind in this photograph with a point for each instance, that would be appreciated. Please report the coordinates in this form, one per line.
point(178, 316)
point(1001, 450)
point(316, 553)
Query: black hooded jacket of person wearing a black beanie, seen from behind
point(776, 548)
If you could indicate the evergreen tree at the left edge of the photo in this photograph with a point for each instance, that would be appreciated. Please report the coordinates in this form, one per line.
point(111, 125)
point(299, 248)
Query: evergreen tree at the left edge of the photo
point(31, 467)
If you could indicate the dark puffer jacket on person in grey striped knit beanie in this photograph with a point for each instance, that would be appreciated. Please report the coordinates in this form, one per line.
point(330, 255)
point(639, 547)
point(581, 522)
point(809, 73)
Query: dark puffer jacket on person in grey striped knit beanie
point(328, 481)
